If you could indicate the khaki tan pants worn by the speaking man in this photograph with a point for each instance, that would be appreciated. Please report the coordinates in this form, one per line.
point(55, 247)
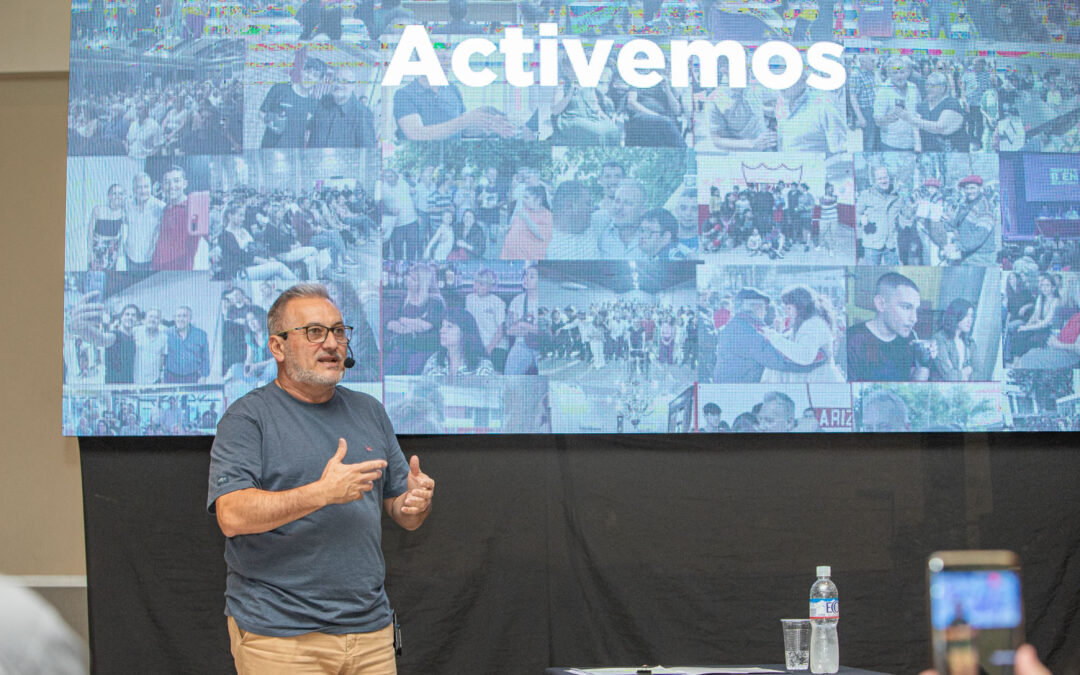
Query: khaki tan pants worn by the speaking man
point(354, 654)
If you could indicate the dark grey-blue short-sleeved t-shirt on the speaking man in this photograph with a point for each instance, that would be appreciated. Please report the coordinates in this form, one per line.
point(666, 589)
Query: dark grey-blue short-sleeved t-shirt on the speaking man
point(323, 572)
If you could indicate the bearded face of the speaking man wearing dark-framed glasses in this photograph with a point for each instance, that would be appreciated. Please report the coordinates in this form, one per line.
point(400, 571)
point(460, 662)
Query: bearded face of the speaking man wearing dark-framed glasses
point(307, 362)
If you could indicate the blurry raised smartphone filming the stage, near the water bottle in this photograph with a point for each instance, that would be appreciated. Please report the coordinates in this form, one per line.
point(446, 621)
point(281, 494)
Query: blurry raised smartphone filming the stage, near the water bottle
point(977, 612)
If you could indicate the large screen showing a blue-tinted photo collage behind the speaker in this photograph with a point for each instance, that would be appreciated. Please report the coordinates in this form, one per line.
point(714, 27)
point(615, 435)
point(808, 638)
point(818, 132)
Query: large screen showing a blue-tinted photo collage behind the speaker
point(899, 254)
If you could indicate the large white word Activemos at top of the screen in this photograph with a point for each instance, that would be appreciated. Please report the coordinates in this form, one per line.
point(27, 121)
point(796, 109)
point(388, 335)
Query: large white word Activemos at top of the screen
point(639, 61)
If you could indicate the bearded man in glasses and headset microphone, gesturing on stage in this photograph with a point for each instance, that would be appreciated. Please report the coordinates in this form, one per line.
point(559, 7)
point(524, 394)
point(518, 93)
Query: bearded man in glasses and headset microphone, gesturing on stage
point(299, 470)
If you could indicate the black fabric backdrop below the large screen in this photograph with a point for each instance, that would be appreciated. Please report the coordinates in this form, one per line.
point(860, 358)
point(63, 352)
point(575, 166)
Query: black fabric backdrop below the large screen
point(616, 550)
